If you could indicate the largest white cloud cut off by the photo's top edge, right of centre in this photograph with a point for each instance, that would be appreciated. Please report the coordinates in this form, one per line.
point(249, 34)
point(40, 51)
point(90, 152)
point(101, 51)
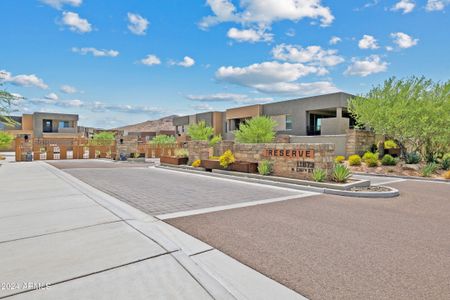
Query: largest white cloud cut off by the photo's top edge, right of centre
point(265, 12)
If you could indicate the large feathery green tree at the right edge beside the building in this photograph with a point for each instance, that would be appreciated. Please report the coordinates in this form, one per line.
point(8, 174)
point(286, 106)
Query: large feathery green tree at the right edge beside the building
point(414, 111)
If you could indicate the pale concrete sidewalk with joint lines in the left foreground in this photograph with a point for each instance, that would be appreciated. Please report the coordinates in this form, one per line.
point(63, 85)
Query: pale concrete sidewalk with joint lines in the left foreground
point(62, 239)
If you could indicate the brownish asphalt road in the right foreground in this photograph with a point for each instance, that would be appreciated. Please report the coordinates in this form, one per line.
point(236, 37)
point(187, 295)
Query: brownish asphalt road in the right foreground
point(332, 247)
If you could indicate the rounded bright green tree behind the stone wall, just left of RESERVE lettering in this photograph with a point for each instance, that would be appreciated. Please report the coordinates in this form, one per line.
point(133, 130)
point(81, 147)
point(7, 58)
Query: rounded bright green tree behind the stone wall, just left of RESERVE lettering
point(256, 130)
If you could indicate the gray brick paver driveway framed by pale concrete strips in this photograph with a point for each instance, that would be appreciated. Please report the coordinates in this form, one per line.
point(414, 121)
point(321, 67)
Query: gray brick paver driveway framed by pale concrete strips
point(158, 191)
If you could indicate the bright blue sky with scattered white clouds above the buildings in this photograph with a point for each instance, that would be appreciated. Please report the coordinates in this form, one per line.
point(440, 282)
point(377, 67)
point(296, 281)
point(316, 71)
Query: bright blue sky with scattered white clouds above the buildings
point(122, 62)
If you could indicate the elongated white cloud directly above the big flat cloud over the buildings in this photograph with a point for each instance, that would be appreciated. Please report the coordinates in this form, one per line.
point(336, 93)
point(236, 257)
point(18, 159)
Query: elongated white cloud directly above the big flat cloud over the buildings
point(311, 54)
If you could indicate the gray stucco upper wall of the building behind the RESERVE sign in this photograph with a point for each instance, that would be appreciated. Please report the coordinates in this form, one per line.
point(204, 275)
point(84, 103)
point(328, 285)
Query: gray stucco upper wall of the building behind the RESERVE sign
point(297, 108)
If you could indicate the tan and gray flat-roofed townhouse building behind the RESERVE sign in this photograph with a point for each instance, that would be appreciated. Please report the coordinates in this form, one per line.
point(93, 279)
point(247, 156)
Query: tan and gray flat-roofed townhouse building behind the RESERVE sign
point(310, 116)
